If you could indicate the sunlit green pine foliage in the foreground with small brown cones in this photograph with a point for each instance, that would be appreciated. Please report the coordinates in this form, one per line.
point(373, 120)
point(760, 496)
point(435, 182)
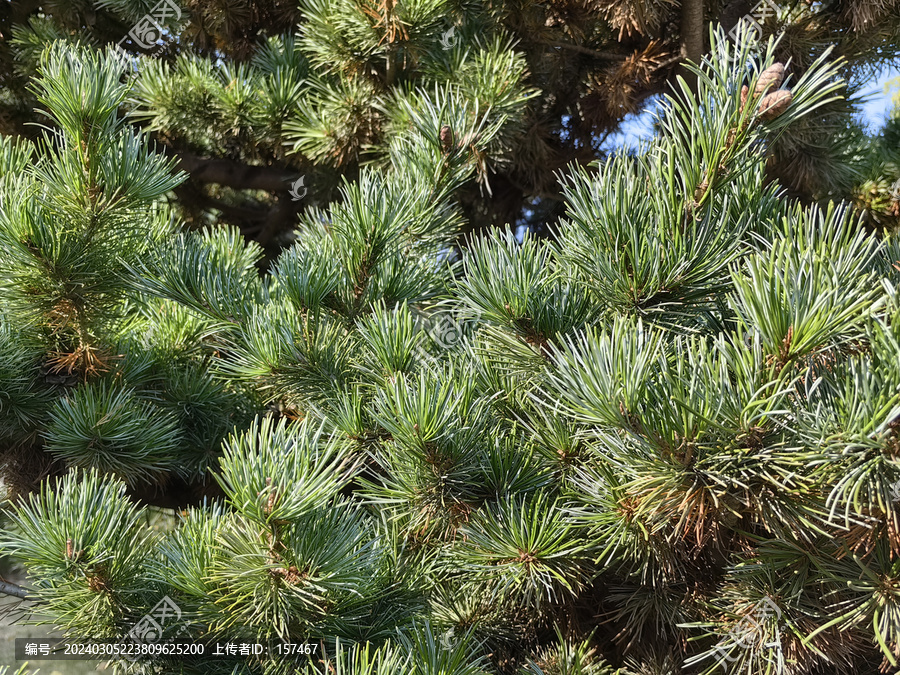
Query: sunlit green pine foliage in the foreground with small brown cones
point(664, 441)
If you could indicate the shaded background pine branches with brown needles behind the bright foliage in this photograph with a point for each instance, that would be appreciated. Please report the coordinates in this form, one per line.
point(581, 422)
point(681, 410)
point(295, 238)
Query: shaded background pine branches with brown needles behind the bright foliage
point(252, 95)
